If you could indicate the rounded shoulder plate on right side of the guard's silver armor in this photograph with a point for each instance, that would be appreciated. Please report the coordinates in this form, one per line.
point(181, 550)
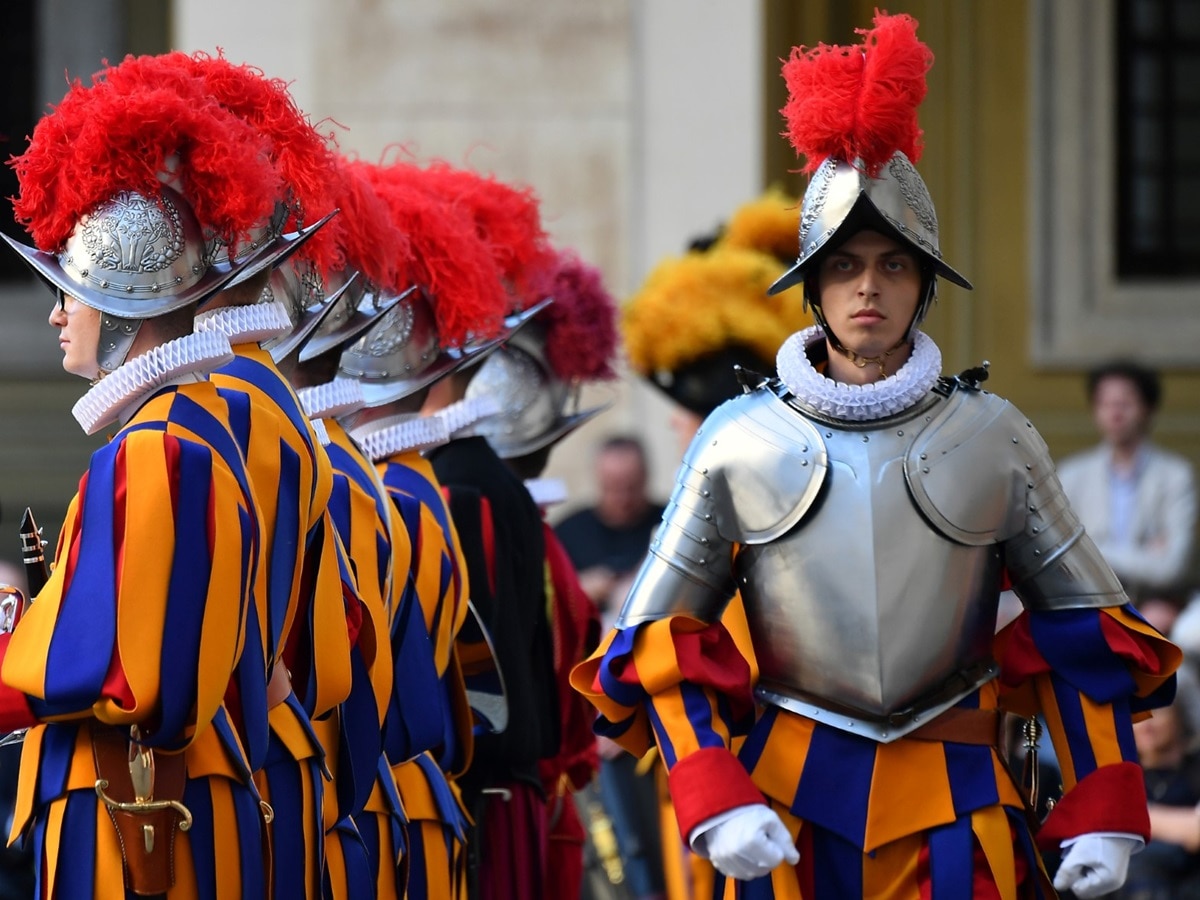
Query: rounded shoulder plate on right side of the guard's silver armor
point(975, 434)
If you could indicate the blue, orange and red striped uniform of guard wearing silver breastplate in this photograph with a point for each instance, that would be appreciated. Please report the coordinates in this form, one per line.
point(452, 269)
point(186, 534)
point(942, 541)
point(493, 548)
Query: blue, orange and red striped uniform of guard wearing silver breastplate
point(907, 819)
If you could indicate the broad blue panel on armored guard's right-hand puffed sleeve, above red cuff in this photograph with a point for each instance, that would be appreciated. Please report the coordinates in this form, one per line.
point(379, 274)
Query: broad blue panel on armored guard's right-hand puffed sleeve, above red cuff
point(1075, 646)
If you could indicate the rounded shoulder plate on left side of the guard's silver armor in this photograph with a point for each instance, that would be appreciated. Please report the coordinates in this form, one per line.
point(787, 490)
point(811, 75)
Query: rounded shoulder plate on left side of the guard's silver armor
point(760, 464)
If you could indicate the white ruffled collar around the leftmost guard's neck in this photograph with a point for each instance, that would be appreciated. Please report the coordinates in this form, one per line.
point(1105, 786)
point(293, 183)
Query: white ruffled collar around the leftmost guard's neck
point(117, 397)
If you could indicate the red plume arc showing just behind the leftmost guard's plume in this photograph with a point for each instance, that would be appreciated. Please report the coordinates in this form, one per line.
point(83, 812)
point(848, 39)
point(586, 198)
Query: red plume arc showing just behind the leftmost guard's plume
point(305, 163)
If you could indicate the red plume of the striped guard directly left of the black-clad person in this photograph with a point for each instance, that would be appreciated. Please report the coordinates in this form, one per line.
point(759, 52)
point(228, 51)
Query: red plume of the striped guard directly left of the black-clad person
point(448, 259)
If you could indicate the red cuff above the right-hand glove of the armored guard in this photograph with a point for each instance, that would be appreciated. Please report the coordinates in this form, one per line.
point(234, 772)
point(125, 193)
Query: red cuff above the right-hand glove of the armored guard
point(1111, 800)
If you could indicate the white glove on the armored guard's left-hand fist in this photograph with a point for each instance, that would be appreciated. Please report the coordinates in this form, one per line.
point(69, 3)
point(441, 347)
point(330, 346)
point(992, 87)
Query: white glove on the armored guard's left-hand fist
point(746, 844)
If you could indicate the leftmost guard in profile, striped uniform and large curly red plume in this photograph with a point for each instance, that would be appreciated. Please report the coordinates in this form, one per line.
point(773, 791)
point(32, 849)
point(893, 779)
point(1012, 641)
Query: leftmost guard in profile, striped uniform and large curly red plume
point(135, 665)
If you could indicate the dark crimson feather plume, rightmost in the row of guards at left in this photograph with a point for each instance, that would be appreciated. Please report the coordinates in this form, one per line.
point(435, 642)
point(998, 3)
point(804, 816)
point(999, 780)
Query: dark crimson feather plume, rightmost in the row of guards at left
point(581, 325)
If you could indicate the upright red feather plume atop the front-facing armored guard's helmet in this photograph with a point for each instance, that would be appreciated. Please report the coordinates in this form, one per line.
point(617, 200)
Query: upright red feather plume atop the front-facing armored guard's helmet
point(859, 103)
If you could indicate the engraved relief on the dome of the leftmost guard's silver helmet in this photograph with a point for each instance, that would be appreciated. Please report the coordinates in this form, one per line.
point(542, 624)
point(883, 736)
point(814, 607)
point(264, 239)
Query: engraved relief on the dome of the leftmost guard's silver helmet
point(133, 233)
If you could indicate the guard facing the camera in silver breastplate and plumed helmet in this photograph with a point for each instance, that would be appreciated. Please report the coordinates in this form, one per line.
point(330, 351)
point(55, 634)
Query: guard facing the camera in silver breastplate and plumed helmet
point(871, 512)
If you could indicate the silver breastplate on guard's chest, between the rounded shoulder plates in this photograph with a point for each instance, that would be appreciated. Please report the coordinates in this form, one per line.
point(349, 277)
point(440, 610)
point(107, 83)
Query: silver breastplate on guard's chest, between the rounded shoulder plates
point(863, 607)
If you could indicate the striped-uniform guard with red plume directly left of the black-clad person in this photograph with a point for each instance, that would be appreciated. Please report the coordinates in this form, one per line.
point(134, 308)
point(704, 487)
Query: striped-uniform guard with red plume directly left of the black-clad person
point(429, 735)
